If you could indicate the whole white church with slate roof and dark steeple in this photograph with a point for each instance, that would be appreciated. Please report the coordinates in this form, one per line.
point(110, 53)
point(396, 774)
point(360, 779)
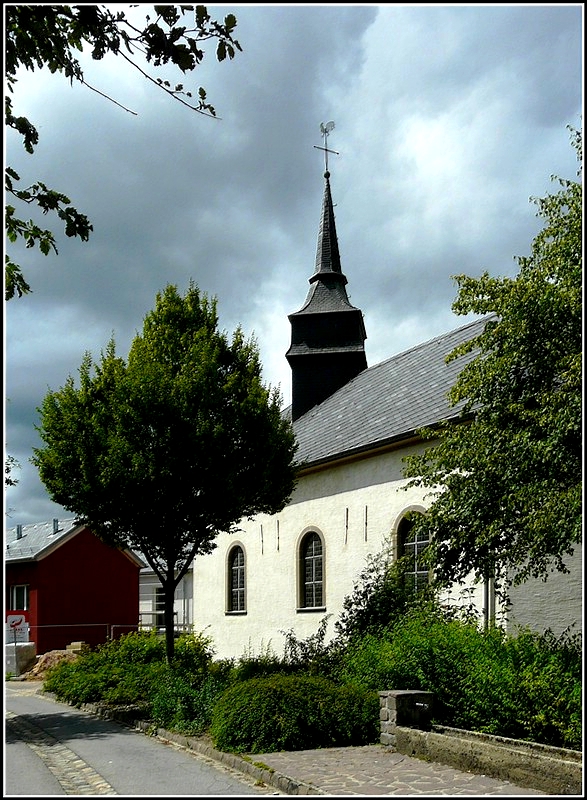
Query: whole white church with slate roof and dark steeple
point(354, 424)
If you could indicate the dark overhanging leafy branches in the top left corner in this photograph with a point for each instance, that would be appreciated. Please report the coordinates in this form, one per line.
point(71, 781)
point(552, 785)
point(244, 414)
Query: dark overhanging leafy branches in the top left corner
point(49, 36)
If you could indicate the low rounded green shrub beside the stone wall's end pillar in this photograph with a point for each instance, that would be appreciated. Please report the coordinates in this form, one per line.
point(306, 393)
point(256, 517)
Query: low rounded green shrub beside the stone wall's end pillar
point(293, 712)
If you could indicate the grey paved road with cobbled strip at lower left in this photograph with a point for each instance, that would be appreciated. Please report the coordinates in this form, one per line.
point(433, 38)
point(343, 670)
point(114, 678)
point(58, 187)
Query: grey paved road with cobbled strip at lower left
point(55, 749)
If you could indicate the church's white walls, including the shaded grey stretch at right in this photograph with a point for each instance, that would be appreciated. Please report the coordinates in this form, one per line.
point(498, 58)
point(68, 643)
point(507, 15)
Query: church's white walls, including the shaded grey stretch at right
point(356, 507)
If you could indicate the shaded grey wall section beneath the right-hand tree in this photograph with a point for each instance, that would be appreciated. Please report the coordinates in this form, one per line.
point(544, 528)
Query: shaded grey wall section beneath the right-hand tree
point(556, 603)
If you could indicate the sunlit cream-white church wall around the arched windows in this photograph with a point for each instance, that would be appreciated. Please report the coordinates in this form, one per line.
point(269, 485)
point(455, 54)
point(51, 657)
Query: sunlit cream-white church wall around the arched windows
point(356, 507)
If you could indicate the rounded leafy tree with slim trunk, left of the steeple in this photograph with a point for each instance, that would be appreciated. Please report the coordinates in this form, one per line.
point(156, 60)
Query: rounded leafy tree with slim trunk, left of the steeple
point(164, 451)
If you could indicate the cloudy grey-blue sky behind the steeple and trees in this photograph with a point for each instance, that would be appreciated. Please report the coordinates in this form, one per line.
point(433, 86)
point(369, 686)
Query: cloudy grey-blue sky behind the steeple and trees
point(448, 119)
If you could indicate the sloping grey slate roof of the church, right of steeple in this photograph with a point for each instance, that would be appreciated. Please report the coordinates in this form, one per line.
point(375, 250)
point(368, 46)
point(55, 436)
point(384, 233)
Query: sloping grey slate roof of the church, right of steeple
point(386, 402)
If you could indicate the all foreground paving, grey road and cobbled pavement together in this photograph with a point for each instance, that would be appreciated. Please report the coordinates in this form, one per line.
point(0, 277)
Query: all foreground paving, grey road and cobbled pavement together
point(53, 748)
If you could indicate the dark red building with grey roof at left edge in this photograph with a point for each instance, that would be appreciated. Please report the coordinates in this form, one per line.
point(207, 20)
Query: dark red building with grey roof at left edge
point(69, 585)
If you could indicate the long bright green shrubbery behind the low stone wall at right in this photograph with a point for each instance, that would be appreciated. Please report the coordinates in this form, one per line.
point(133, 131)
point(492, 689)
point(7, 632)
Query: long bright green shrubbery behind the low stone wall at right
point(524, 687)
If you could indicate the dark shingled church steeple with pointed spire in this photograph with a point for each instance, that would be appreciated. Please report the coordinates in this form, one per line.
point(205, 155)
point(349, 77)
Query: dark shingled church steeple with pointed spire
point(328, 333)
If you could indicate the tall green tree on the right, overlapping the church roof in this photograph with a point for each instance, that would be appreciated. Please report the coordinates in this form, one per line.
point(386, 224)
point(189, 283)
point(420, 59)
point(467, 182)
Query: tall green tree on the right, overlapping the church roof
point(506, 482)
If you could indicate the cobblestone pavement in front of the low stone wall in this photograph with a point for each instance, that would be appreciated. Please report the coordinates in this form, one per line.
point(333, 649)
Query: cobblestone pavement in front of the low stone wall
point(378, 770)
